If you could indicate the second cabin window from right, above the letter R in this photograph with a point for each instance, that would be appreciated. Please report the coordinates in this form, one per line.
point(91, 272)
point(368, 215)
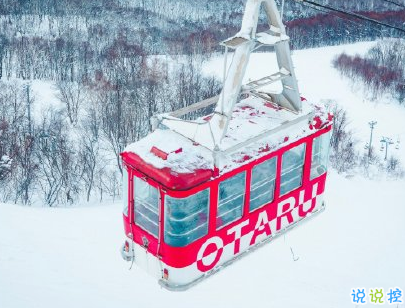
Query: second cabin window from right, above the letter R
point(292, 169)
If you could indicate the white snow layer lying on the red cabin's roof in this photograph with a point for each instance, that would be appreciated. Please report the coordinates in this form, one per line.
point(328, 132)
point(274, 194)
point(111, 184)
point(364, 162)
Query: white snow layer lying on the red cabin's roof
point(251, 117)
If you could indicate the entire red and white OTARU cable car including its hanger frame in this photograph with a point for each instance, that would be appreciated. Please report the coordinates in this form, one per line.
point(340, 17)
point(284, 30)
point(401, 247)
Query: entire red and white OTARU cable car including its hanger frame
point(202, 193)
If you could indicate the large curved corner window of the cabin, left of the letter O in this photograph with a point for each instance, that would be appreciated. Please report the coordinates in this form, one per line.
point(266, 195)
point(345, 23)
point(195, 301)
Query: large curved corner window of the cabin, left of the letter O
point(186, 219)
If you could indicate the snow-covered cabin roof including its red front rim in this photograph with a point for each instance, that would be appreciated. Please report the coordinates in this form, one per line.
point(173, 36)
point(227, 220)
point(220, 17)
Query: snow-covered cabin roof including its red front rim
point(170, 158)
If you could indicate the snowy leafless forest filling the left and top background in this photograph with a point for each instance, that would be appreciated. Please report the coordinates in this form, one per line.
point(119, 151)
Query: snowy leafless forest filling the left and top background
point(109, 63)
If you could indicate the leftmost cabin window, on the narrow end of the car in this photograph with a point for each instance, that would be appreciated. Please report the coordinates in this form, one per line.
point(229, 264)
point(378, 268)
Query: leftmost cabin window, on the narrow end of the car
point(146, 207)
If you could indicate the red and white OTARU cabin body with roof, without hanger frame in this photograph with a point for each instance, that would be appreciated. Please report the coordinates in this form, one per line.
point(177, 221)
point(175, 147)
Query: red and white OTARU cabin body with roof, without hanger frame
point(185, 217)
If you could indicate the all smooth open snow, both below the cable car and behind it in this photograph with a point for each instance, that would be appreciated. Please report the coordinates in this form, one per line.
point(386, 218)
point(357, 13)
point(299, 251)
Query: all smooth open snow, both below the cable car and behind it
point(69, 257)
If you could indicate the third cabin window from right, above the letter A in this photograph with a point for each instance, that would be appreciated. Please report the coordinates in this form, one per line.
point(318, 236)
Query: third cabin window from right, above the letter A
point(262, 183)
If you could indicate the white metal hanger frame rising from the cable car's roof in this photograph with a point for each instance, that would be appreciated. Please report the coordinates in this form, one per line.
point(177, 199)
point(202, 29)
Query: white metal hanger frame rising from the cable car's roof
point(243, 44)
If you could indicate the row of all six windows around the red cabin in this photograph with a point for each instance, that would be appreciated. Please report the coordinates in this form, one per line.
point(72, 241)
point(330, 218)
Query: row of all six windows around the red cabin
point(186, 219)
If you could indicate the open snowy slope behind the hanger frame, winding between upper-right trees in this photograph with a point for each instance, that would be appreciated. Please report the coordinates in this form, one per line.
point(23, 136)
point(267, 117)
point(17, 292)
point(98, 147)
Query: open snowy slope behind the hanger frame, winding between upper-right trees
point(319, 81)
